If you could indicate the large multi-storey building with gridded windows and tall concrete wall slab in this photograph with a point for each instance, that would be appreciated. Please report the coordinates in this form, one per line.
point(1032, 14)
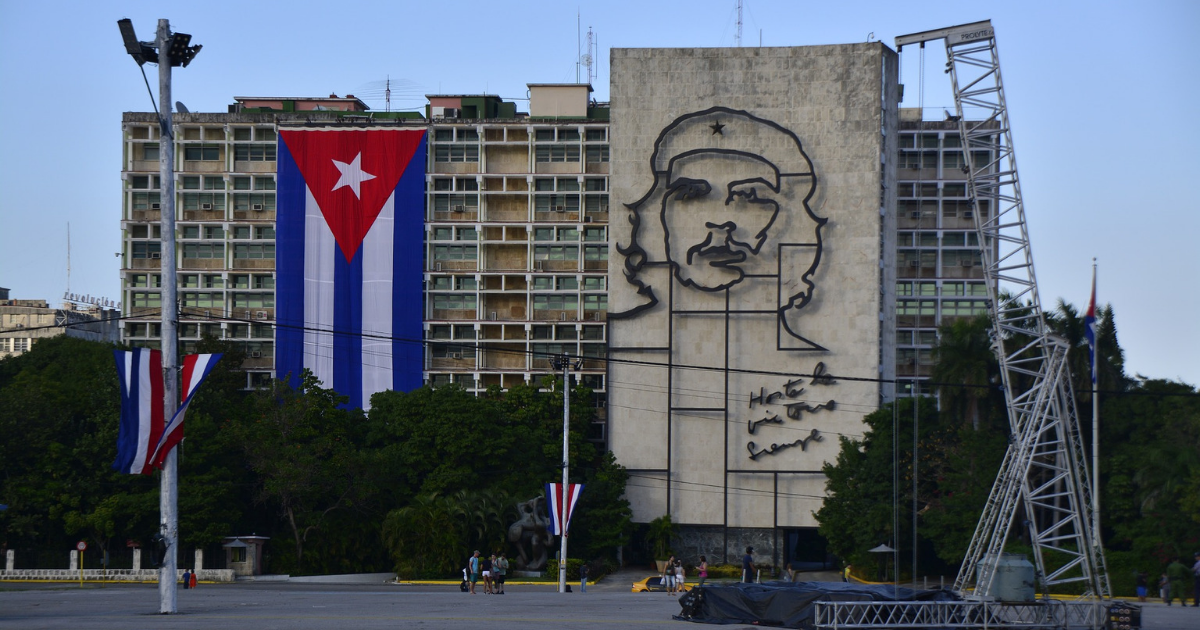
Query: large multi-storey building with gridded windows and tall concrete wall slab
point(746, 249)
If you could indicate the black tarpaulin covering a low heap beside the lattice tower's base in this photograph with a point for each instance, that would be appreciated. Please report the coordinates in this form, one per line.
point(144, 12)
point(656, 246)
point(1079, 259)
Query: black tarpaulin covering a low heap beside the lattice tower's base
point(787, 604)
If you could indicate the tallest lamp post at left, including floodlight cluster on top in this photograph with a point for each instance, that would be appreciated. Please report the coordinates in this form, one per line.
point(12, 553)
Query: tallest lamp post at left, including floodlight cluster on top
point(169, 50)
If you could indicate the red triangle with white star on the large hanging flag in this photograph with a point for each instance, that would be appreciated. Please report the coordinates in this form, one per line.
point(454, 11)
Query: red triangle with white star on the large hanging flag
point(352, 173)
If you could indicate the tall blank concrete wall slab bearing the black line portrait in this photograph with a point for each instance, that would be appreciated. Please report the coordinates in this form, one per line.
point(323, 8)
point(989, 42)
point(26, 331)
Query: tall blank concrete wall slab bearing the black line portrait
point(754, 260)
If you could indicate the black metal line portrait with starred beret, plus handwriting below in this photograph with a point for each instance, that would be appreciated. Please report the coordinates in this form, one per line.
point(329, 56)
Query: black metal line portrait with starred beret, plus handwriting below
point(727, 236)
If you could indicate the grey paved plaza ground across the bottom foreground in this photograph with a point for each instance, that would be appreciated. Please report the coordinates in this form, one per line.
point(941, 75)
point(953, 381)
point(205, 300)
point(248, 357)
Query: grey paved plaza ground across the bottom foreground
point(345, 607)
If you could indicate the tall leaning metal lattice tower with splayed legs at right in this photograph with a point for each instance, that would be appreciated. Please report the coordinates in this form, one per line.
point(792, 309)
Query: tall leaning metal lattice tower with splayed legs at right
point(1045, 470)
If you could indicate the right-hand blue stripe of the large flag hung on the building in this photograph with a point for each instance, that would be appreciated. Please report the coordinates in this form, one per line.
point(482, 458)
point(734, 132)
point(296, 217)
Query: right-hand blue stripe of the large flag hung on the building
point(409, 316)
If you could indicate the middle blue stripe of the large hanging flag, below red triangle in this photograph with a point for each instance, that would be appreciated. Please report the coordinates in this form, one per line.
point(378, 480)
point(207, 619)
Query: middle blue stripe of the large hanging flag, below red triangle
point(349, 327)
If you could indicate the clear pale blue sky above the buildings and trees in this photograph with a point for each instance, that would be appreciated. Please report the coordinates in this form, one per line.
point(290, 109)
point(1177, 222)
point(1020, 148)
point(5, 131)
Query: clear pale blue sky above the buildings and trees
point(1103, 99)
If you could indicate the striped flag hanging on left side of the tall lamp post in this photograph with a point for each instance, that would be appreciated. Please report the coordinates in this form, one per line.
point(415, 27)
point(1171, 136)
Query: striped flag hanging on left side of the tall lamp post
point(140, 373)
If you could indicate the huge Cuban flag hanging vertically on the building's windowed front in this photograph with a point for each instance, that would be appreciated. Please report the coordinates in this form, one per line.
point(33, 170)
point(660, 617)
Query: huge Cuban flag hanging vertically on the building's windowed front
point(350, 233)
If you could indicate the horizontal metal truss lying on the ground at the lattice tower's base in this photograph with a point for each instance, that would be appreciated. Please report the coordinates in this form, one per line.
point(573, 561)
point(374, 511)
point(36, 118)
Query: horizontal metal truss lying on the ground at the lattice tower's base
point(961, 615)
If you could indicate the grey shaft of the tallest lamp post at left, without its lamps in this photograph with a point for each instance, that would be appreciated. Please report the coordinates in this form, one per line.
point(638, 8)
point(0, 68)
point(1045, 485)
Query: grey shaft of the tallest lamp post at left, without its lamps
point(169, 495)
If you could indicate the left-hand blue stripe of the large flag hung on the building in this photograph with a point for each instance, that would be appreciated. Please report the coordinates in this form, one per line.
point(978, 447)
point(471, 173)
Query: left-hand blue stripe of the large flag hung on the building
point(290, 232)
